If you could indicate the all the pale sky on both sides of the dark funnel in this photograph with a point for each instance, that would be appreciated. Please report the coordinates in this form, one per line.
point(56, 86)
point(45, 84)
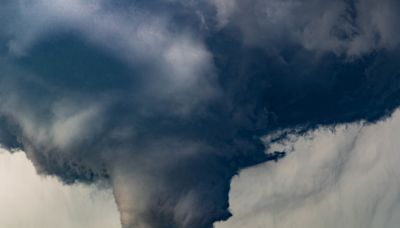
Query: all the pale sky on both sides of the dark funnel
point(345, 176)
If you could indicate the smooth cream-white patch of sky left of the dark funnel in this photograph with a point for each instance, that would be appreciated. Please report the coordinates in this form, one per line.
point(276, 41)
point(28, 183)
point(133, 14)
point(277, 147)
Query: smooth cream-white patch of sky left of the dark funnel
point(30, 201)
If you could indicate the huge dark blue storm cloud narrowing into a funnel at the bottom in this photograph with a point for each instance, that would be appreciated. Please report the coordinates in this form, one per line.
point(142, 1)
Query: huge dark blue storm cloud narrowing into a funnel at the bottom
point(168, 100)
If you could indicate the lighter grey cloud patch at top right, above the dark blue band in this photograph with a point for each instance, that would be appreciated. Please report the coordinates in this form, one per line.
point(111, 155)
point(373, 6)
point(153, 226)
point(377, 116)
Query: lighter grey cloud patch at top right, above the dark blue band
point(344, 27)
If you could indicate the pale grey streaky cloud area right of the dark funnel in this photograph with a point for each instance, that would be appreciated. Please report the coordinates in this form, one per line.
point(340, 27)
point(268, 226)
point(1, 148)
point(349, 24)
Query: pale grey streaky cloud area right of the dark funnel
point(348, 177)
